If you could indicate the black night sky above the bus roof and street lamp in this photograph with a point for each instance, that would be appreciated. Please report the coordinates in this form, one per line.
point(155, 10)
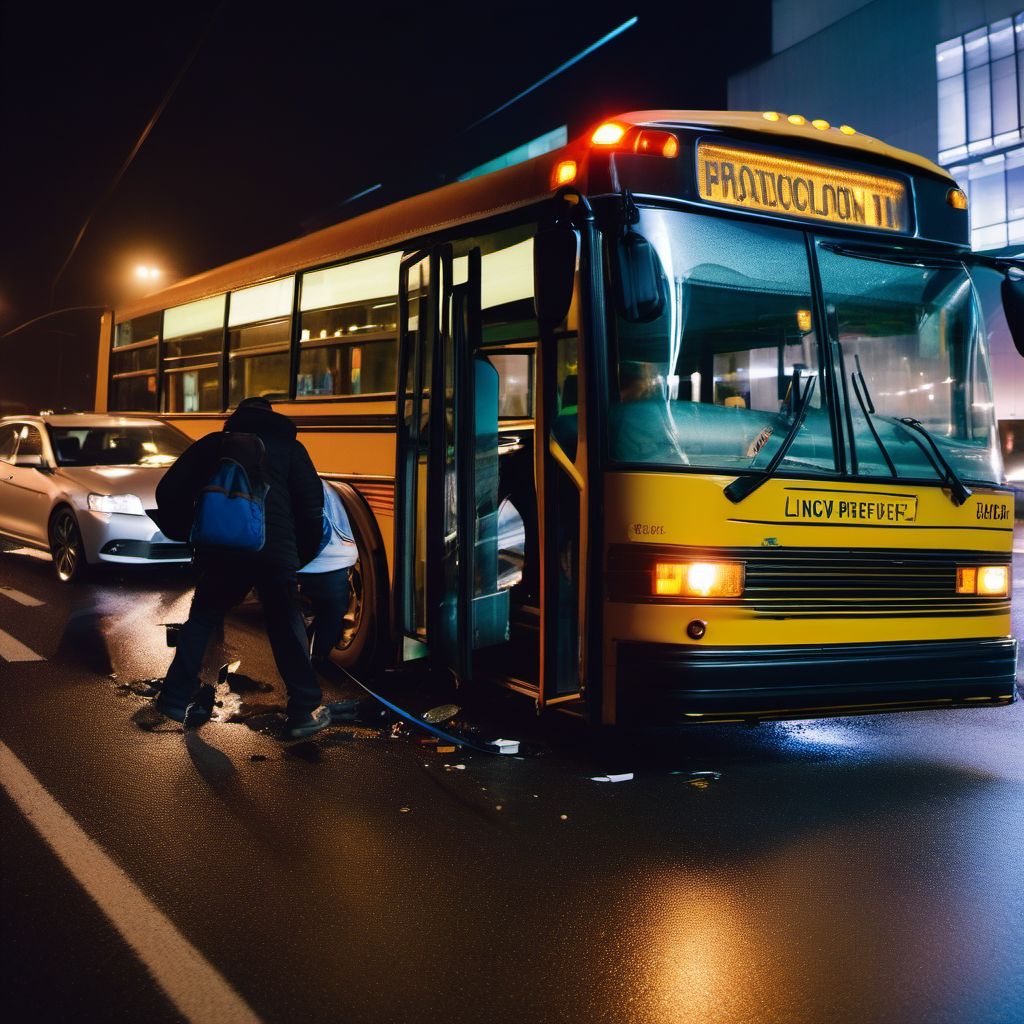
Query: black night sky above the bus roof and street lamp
point(290, 109)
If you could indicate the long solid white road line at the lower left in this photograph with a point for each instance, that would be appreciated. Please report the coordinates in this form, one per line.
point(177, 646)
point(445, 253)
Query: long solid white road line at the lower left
point(194, 986)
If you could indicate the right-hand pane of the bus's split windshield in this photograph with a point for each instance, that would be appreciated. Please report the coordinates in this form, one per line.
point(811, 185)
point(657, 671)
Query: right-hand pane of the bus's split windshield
point(912, 348)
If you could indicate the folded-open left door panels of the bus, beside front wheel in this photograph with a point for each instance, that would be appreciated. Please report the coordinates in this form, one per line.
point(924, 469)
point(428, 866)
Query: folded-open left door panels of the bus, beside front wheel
point(448, 604)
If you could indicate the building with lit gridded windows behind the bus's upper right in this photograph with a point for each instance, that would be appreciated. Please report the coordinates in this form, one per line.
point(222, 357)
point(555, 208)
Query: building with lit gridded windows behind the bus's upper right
point(941, 78)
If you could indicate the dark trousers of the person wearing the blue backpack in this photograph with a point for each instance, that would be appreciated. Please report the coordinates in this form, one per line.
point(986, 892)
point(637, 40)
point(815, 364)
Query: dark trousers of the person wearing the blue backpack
point(224, 585)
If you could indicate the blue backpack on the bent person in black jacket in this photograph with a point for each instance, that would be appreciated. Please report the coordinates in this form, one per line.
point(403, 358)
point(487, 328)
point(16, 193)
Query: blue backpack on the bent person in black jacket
point(230, 511)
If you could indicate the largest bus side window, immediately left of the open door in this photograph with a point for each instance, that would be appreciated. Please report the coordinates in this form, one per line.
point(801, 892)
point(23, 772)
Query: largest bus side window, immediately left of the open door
point(349, 329)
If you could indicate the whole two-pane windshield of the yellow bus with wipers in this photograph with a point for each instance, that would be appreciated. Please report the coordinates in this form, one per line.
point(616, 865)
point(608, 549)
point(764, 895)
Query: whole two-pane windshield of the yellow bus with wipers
point(717, 380)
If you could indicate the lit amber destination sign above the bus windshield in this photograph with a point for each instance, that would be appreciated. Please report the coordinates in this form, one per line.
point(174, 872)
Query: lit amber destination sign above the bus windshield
point(793, 188)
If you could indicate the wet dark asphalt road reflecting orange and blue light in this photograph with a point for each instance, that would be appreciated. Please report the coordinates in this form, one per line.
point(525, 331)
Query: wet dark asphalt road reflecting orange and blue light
point(852, 870)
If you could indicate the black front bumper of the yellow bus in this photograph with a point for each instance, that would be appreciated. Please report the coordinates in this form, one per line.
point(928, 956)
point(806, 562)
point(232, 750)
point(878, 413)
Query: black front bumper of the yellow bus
point(660, 684)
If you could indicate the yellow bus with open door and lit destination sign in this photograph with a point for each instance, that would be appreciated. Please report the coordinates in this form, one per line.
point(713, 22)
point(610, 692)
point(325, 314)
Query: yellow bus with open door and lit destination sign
point(691, 420)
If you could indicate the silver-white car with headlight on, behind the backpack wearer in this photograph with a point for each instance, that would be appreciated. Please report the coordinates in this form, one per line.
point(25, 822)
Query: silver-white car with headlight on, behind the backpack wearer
point(79, 486)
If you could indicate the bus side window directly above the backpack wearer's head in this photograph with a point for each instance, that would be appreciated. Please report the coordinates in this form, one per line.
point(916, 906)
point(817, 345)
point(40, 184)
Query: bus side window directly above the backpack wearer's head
point(260, 342)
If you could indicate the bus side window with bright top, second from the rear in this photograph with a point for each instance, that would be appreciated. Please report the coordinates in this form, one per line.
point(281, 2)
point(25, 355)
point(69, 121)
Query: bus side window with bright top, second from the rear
point(194, 338)
